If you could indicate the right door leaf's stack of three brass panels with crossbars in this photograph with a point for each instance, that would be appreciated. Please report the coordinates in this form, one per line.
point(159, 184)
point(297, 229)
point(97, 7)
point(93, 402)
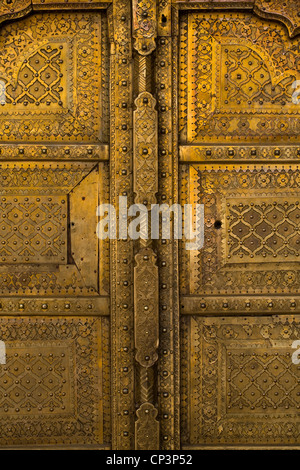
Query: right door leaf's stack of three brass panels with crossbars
point(238, 127)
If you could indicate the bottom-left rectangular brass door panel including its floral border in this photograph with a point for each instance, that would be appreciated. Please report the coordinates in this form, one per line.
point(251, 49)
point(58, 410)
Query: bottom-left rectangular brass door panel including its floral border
point(54, 386)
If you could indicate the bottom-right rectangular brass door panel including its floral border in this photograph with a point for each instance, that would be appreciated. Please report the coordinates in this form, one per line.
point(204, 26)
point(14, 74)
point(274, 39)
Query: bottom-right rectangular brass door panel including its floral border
point(239, 383)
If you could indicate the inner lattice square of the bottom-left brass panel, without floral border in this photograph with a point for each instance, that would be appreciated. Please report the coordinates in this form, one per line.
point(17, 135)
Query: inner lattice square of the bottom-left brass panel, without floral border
point(36, 383)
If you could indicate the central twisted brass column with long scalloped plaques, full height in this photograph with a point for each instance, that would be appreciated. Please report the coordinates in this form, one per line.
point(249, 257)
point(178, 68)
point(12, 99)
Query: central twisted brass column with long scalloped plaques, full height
point(146, 283)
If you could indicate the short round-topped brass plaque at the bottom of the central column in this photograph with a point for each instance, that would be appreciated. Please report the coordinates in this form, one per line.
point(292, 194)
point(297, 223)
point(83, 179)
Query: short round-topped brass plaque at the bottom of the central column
point(147, 428)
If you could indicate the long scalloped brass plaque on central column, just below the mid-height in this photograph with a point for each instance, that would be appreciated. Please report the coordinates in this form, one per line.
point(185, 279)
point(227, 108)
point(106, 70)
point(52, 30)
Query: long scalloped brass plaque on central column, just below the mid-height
point(146, 312)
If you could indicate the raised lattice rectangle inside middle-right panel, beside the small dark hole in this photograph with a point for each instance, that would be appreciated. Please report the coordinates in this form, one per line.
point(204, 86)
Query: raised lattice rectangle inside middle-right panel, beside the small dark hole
point(260, 227)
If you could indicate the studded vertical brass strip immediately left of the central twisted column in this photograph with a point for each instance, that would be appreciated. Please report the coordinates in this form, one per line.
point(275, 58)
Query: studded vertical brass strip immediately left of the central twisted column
point(122, 250)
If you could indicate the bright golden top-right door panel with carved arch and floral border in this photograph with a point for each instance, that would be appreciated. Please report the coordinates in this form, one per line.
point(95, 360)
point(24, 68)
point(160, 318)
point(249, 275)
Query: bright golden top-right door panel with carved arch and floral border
point(243, 71)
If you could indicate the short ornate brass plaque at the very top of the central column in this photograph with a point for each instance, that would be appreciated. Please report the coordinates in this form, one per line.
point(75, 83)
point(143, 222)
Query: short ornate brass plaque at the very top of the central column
point(144, 26)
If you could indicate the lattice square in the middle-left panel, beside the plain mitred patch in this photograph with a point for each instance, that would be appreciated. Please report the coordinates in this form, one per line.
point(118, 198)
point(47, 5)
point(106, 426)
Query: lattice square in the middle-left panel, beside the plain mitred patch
point(33, 229)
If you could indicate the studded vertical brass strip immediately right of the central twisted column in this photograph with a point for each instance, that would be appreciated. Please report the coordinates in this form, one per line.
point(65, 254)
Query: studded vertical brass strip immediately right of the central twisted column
point(166, 94)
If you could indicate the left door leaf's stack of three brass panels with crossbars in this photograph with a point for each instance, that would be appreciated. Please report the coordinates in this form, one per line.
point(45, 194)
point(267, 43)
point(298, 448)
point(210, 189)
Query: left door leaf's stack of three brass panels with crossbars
point(54, 272)
